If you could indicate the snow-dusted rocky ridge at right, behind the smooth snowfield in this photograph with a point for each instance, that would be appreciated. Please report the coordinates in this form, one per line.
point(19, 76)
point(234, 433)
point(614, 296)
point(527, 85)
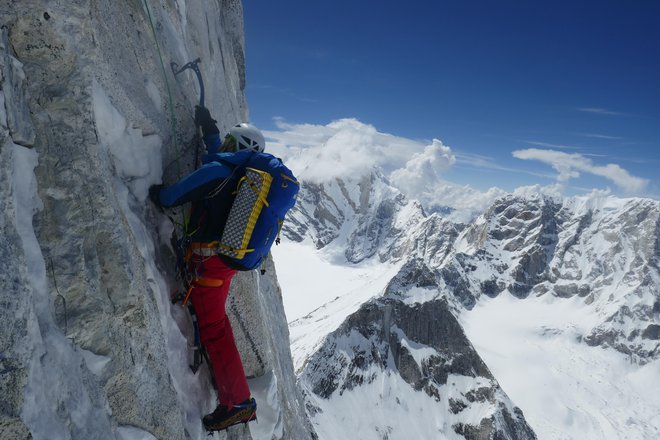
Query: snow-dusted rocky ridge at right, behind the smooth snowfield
point(601, 250)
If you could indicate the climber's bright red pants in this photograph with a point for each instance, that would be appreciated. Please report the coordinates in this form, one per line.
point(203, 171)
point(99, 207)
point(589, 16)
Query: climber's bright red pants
point(215, 330)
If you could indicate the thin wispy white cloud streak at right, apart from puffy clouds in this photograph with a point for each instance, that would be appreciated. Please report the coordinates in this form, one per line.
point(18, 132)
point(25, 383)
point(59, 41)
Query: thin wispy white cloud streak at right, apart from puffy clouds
point(569, 166)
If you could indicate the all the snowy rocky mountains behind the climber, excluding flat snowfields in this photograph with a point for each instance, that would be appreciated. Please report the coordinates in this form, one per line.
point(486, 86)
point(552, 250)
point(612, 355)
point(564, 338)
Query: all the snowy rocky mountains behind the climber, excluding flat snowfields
point(404, 350)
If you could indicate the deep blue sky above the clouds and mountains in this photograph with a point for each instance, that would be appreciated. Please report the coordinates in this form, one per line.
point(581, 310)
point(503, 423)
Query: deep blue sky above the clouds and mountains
point(487, 78)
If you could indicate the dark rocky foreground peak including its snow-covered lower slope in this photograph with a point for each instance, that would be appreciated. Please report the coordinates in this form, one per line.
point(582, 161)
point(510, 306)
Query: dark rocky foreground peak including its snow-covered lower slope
point(401, 363)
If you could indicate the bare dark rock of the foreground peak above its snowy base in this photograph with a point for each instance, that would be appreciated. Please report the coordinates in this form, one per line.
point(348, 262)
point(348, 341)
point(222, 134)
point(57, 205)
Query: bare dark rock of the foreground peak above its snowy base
point(378, 340)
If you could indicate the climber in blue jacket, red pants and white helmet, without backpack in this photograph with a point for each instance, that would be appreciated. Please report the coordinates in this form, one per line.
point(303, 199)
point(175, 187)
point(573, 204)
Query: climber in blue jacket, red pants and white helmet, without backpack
point(211, 189)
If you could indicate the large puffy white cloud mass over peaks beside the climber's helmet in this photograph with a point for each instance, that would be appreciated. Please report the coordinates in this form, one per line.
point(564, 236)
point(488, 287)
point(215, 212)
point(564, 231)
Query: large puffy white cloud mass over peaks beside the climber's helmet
point(348, 147)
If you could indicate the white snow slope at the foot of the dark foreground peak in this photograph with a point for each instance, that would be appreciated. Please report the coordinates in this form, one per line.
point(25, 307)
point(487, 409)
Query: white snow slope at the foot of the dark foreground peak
point(388, 407)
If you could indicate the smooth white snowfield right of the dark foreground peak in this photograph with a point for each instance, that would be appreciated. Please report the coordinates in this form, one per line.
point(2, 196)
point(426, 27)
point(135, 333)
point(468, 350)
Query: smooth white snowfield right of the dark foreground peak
point(565, 388)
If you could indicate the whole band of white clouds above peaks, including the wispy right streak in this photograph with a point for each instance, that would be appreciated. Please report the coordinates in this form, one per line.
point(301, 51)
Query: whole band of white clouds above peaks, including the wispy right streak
point(348, 148)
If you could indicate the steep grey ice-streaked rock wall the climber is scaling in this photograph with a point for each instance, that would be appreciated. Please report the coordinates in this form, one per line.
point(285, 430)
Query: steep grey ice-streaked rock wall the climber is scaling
point(90, 116)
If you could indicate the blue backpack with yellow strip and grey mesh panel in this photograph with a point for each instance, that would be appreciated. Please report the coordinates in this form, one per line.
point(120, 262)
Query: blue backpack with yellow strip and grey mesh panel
point(265, 193)
